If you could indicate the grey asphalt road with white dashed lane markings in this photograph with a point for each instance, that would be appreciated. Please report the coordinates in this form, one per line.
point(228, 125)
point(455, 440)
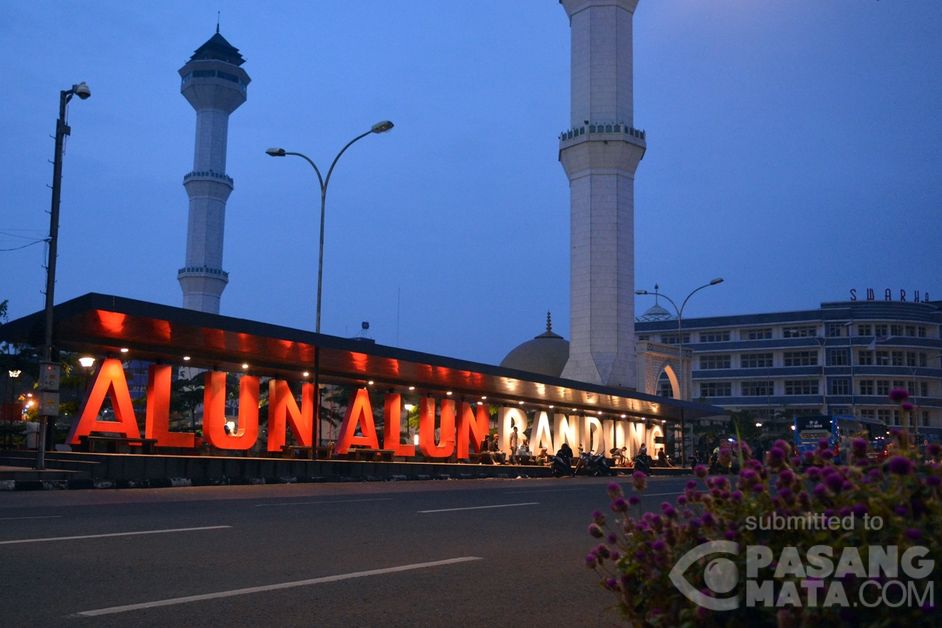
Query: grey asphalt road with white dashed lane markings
point(436, 553)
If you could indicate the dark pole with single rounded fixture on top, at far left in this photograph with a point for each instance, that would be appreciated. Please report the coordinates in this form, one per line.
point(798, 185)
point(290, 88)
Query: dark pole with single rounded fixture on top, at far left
point(49, 372)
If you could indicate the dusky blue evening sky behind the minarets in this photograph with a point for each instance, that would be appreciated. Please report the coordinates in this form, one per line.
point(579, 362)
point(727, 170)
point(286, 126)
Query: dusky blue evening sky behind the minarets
point(793, 148)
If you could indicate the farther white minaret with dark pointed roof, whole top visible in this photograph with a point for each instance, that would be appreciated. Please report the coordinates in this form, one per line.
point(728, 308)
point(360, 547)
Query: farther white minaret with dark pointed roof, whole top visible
point(215, 85)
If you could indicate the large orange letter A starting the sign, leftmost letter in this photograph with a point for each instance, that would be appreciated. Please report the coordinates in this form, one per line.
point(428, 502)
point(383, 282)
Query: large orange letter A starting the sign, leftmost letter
point(110, 382)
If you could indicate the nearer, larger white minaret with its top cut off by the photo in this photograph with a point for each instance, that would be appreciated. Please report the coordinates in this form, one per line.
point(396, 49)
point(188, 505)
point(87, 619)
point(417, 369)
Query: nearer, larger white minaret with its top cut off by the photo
point(600, 153)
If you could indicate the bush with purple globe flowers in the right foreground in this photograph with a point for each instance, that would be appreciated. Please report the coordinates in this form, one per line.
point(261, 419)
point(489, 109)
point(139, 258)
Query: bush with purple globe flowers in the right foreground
point(637, 550)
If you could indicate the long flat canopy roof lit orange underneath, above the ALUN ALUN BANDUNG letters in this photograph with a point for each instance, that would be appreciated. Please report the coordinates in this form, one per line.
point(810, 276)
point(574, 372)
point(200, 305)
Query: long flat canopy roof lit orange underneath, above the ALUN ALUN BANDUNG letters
point(104, 325)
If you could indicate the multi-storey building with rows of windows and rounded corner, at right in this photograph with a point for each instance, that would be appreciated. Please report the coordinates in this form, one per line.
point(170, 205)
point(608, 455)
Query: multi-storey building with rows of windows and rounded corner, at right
point(842, 358)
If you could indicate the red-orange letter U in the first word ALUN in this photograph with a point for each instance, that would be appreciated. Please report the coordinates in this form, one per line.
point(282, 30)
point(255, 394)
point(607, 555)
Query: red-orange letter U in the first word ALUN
point(214, 412)
